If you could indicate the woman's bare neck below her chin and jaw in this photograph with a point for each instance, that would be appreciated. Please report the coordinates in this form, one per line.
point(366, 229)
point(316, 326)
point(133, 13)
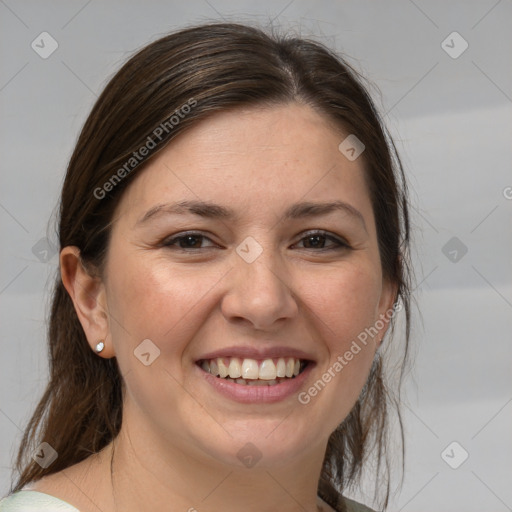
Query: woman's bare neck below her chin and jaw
point(150, 474)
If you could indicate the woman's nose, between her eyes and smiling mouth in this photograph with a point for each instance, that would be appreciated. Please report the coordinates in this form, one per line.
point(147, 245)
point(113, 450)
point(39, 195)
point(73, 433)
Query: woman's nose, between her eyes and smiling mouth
point(259, 293)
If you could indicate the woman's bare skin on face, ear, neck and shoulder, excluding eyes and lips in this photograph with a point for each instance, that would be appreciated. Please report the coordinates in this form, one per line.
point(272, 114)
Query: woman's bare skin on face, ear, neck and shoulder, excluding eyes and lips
point(179, 437)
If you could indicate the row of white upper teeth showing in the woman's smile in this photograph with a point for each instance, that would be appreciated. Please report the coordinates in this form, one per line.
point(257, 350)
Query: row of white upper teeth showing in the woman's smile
point(267, 369)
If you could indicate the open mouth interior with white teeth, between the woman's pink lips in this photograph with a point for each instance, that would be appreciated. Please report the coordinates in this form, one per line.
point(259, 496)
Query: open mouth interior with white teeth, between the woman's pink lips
point(254, 372)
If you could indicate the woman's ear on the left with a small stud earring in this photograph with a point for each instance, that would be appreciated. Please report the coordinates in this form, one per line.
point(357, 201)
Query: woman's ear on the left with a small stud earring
point(89, 298)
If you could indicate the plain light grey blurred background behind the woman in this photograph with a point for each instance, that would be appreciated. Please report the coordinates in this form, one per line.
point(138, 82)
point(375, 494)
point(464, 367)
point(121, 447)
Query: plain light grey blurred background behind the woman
point(451, 118)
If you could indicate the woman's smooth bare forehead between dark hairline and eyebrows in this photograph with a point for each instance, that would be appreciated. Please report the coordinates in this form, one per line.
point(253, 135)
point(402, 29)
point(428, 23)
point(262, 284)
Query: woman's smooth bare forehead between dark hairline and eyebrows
point(252, 158)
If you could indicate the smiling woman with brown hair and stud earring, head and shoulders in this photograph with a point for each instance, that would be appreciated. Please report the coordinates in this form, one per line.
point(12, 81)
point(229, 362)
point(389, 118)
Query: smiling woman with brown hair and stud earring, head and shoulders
point(233, 229)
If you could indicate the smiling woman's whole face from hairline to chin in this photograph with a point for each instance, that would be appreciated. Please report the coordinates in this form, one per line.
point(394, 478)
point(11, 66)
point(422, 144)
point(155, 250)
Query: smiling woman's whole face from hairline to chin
point(253, 276)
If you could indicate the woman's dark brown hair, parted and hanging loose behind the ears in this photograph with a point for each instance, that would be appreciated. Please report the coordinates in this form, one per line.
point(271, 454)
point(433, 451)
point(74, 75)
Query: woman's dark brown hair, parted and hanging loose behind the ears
point(215, 67)
